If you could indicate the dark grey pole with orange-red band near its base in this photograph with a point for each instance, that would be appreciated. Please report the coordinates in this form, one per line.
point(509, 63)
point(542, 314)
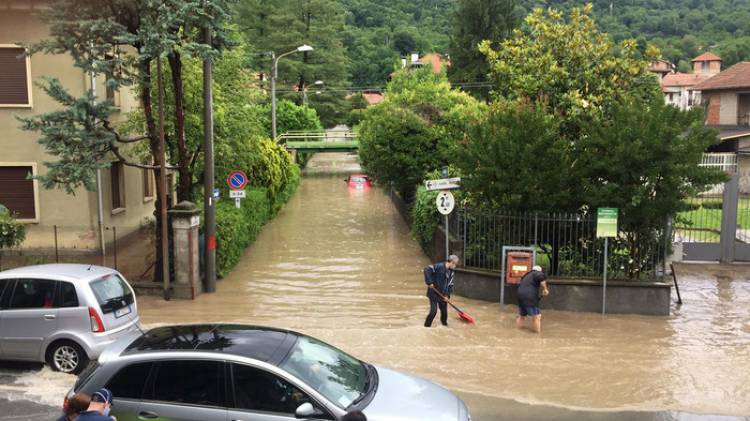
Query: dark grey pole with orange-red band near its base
point(208, 171)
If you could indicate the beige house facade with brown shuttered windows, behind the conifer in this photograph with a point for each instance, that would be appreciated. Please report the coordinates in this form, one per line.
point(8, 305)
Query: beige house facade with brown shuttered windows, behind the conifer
point(126, 194)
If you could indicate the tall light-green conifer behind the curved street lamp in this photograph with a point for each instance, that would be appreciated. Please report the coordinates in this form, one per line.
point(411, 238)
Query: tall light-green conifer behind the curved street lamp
point(281, 26)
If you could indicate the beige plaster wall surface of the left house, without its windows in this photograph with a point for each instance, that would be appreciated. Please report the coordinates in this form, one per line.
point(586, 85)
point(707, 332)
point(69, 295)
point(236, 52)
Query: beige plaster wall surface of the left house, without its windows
point(75, 215)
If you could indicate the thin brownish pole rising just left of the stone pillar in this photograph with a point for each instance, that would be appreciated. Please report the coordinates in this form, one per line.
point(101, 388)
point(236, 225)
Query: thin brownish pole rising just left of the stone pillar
point(163, 184)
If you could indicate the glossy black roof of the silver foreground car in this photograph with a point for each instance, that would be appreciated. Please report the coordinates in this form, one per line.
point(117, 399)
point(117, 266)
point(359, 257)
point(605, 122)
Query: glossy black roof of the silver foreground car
point(265, 344)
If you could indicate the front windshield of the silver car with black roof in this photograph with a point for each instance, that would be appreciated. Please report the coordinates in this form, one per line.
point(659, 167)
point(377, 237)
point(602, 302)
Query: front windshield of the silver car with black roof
point(339, 377)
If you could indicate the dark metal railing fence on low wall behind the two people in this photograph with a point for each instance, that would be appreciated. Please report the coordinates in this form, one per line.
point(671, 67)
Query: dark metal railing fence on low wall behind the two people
point(566, 244)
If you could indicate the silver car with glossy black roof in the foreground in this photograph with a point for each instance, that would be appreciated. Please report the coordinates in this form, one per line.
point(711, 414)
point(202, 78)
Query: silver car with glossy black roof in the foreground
point(219, 372)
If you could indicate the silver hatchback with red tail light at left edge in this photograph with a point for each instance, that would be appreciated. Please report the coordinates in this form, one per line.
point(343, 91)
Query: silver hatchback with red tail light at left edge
point(63, 314)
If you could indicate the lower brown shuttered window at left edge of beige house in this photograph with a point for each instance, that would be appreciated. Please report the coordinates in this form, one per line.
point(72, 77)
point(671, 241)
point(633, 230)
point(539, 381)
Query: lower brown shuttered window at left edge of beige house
point(17, 191)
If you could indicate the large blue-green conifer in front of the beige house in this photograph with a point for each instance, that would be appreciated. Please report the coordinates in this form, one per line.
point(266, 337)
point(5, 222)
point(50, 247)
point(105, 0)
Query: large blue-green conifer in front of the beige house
point(120, 39)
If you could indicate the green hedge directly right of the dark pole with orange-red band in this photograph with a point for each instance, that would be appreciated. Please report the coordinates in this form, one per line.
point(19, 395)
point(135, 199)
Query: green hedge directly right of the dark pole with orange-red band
point(236, 228)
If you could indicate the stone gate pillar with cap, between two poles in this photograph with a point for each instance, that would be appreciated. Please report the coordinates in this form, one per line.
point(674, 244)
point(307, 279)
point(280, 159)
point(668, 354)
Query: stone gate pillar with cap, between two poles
point(185, 224)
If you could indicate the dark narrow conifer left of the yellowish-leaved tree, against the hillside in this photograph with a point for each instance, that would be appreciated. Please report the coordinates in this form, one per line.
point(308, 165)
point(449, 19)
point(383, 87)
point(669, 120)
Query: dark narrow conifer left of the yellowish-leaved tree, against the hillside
point(476, 21)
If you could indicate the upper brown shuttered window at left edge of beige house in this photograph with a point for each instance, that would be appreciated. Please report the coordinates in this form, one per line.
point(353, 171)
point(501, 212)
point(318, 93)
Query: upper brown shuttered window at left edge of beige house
point(14, 77)
